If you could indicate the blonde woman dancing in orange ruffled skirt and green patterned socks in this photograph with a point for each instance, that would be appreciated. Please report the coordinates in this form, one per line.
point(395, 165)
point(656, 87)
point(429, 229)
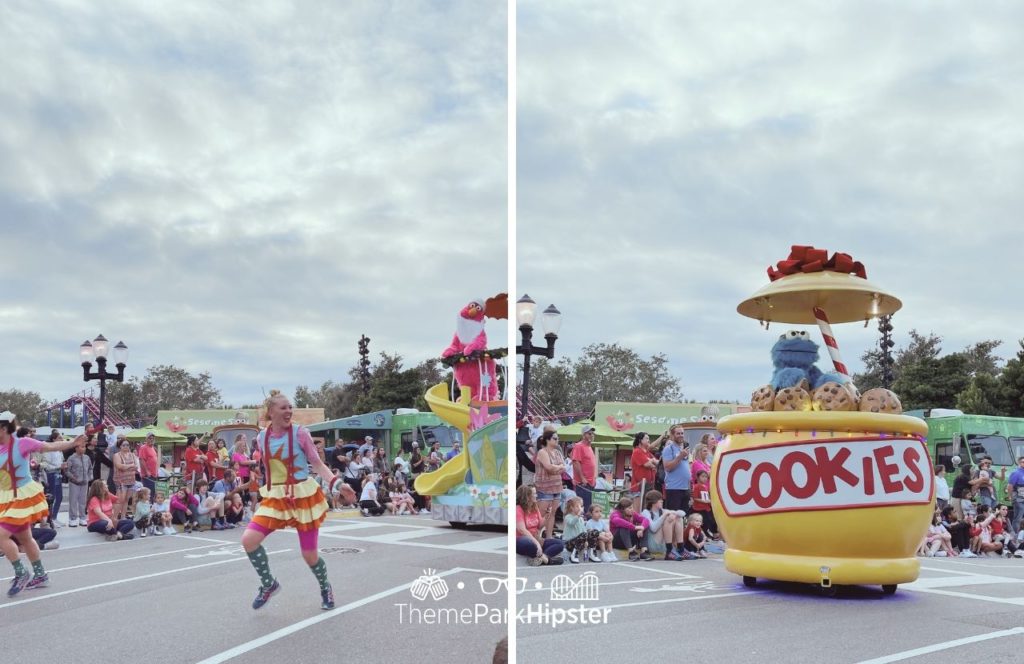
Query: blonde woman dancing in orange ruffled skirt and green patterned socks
point(291, 499)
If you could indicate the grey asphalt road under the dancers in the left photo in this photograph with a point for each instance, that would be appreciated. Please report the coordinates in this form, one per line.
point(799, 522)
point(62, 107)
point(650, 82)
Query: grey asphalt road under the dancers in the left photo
point(187, 598)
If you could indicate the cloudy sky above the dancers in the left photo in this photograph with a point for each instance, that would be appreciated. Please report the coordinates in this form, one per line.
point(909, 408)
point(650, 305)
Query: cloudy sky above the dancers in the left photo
point(246, 190)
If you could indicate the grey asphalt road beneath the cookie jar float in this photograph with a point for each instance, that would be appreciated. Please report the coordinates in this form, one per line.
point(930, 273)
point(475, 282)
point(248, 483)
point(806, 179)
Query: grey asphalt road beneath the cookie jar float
point(696, 611)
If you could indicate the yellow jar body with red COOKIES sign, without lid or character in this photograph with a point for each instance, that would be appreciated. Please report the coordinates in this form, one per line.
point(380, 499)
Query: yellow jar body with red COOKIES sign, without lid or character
point(830, 499)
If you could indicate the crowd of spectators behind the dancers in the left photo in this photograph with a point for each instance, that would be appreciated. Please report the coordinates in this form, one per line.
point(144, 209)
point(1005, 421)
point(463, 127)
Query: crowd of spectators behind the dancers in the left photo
point(218, 489)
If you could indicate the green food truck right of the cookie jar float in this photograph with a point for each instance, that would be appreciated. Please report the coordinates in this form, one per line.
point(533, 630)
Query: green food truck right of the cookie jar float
point(953, 435)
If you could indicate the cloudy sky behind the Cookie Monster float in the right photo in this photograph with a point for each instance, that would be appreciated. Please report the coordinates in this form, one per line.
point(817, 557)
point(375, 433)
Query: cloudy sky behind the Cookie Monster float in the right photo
point(669, 153)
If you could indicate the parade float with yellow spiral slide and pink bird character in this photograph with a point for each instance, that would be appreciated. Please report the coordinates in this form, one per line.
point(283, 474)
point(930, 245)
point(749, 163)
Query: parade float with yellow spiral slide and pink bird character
point(473, 487)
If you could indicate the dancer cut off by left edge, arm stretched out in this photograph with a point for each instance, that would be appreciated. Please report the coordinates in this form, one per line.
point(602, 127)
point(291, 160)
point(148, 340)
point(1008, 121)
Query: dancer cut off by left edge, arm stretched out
point(23, 503)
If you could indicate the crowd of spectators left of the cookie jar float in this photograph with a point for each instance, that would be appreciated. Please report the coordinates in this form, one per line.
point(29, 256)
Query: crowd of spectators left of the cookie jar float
point(675, 523)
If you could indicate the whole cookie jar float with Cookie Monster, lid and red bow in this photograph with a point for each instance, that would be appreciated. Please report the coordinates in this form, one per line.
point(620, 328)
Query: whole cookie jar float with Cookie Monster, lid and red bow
point(822, 484)
